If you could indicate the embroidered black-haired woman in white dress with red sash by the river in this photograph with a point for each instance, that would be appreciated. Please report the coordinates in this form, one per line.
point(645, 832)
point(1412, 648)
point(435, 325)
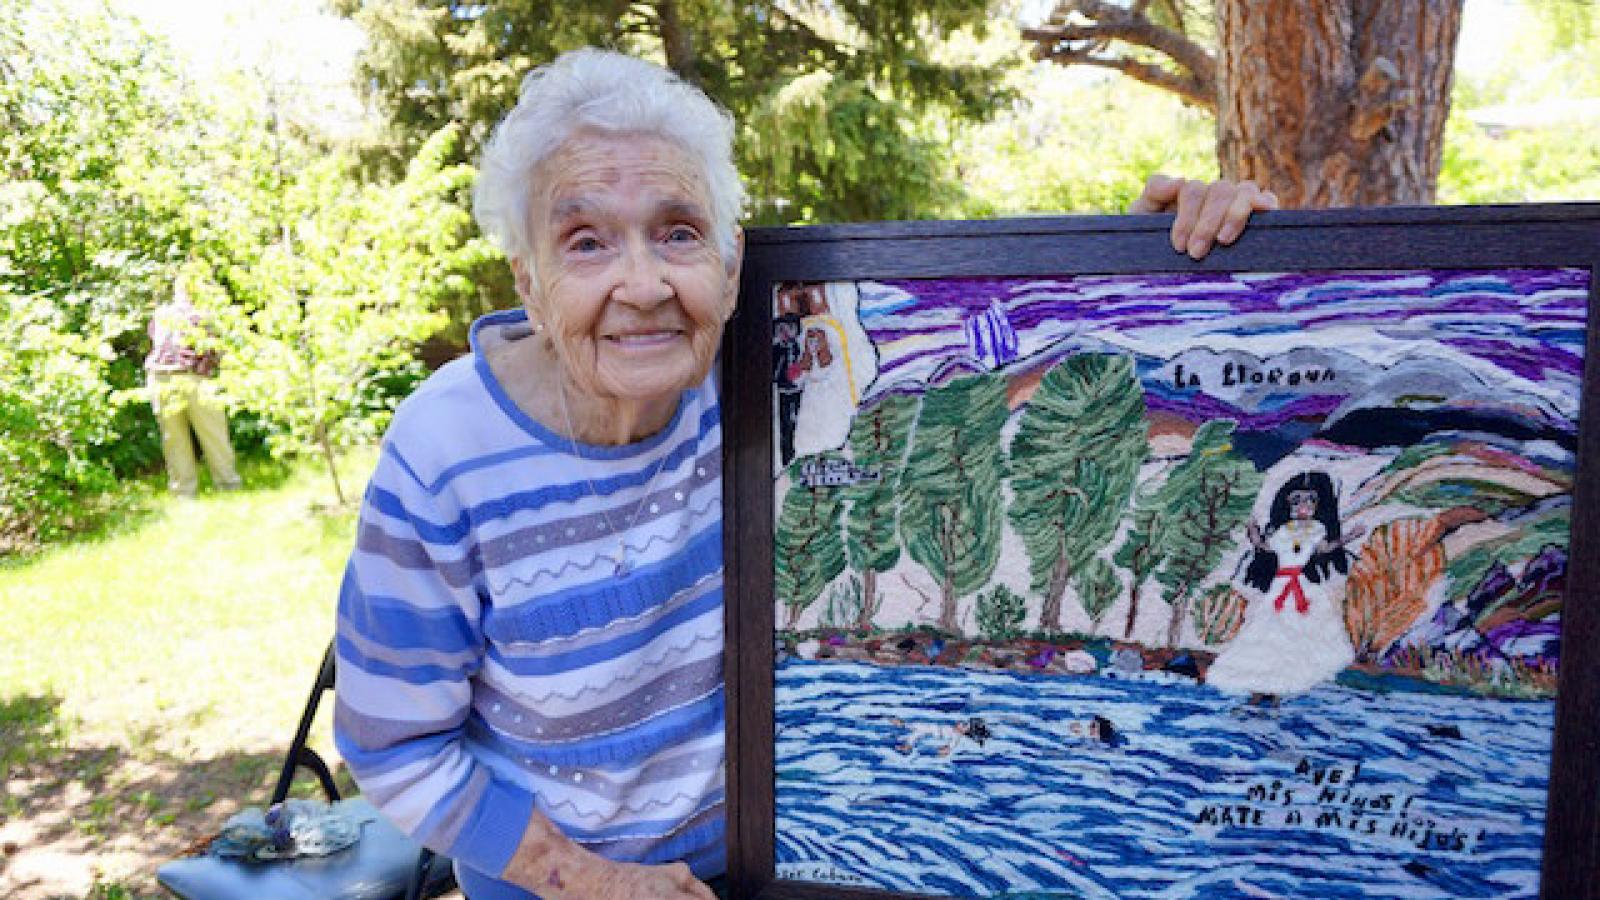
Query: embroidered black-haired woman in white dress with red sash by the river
point(1294, 635)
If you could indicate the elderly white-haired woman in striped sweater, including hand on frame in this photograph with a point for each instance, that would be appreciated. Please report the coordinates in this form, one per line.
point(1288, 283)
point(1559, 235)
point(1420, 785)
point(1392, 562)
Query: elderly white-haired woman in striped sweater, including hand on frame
point(530, 625)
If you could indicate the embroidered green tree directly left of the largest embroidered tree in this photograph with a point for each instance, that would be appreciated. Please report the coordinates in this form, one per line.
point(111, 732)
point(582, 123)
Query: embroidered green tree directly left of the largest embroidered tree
point(951, 488)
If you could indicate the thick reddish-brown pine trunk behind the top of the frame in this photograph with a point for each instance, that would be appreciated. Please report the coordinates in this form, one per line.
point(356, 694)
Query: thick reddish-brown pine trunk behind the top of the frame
point(1337, 103)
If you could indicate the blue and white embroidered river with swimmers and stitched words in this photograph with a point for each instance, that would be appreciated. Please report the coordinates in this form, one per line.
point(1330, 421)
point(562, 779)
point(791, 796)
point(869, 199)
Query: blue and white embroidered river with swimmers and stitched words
point(982, 784)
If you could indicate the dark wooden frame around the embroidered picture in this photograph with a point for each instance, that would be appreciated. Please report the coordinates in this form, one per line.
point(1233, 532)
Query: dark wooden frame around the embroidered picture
point(1294, 241)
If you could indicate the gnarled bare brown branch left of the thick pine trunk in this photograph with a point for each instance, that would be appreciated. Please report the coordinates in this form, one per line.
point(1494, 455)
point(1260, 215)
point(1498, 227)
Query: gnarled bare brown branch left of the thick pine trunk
point(1073, 42)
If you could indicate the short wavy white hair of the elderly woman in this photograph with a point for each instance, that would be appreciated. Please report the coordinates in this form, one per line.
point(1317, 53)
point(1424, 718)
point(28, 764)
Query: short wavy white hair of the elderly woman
point(614, 94)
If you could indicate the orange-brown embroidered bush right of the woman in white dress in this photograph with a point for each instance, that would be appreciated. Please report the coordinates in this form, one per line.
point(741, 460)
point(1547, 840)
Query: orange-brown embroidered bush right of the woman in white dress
point(1390, 584)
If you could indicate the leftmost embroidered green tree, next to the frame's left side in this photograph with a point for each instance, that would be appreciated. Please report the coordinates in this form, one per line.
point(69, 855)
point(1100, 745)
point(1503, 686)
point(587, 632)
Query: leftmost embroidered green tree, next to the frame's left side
point(809, 550)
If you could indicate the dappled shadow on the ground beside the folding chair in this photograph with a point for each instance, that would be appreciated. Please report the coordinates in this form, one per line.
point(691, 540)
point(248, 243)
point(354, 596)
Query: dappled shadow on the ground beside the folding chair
point(63, 798)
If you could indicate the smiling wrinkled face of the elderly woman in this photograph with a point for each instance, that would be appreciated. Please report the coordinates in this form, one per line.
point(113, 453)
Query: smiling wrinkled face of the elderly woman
point(626, 281)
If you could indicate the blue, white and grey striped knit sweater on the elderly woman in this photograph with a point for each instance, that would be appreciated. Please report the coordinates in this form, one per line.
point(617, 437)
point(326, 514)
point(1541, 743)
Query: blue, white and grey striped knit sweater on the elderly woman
point(492, 661)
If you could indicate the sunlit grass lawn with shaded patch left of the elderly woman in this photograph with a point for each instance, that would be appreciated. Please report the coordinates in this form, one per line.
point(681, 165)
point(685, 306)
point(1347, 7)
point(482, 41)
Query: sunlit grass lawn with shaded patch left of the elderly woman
point(153, 675)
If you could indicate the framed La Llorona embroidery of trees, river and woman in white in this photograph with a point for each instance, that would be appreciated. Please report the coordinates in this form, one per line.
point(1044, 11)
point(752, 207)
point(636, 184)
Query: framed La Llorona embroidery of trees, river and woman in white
point(1063, 566)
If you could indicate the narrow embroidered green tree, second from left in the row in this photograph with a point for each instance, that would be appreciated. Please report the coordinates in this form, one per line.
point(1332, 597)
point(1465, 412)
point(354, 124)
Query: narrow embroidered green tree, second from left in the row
point(878, 443)
